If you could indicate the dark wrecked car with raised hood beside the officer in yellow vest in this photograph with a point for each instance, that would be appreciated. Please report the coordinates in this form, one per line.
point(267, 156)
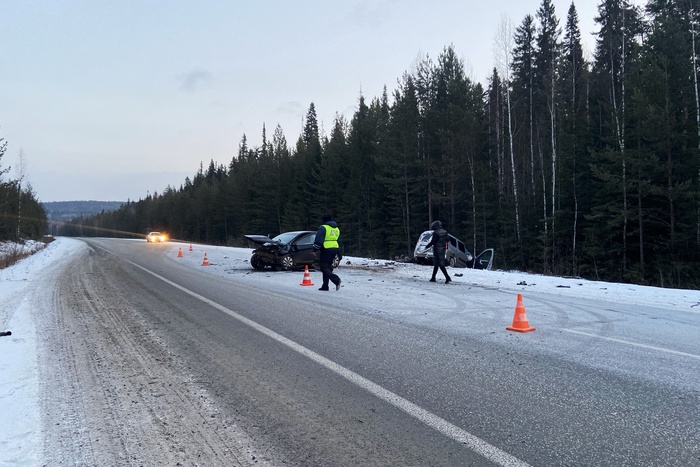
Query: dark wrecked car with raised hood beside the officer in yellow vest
point(286, 251)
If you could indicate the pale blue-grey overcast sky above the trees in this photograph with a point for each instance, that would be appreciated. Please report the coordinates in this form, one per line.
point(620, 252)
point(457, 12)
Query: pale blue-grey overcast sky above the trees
point(112, 100)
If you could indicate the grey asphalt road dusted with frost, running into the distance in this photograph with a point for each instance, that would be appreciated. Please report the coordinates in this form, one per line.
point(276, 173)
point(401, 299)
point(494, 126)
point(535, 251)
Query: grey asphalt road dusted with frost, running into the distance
point(169, 365)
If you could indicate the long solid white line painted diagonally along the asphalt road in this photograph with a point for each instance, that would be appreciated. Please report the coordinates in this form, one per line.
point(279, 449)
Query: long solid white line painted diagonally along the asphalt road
point(473, 442)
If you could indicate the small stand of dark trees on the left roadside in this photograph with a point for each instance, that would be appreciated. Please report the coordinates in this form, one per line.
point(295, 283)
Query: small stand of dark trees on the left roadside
point(22, 216)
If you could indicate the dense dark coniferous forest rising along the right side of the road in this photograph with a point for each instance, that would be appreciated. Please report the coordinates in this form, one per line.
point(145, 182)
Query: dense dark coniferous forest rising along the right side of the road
point(564, 164)
